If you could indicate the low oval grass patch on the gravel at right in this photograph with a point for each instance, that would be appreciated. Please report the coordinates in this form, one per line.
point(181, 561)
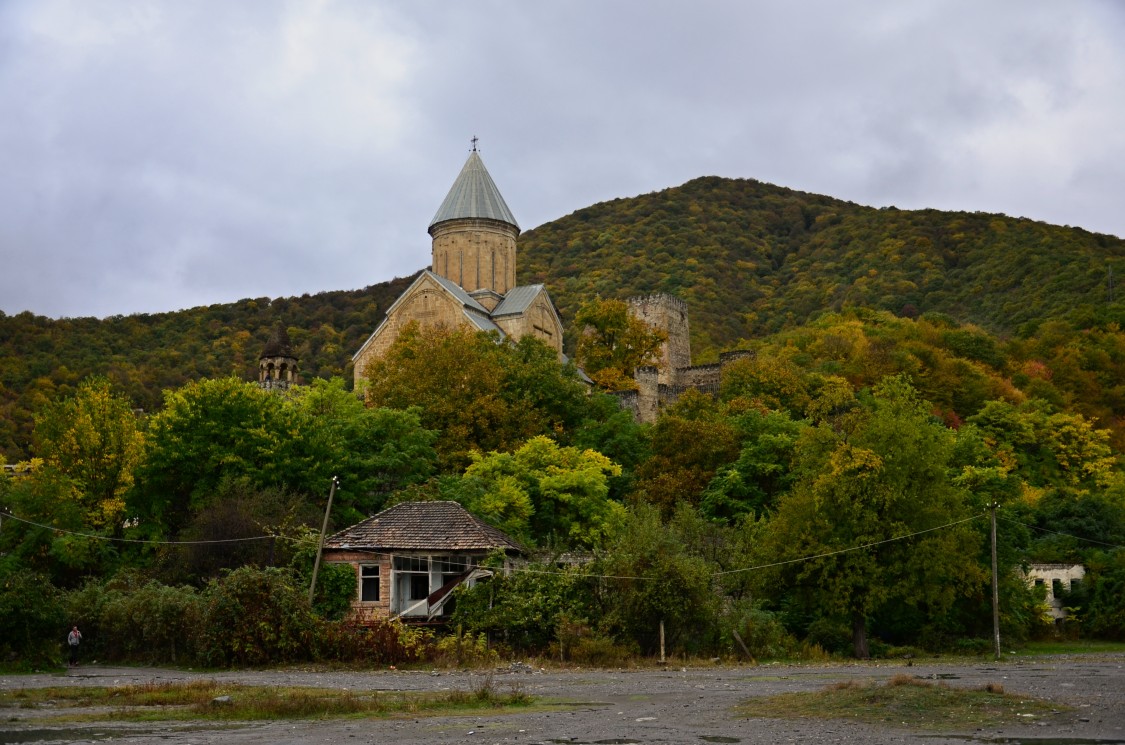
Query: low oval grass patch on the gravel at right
point(906, 701)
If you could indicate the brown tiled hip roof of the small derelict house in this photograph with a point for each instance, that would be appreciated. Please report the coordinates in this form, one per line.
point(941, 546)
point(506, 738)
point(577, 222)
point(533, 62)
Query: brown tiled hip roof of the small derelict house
point(422, 526)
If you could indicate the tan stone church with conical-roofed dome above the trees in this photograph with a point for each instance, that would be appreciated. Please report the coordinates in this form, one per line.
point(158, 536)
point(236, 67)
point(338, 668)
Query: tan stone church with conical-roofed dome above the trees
point(472, 277)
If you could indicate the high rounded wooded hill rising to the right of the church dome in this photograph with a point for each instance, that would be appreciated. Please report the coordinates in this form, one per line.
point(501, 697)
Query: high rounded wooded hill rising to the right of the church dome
point(751, 258)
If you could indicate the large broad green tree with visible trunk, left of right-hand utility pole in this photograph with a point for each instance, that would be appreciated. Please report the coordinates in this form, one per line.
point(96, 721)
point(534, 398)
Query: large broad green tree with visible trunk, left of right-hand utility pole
point(886, 480)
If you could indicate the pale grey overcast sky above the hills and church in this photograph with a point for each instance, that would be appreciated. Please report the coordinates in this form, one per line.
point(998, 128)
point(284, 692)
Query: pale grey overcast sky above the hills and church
point(157, 156)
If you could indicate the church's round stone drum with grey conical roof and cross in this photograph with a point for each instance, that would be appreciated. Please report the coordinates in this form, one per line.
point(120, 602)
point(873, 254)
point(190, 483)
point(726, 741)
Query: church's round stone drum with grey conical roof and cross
point(474, 232)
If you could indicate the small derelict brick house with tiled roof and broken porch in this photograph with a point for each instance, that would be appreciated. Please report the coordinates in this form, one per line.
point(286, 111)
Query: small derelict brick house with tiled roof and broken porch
point(410, 559)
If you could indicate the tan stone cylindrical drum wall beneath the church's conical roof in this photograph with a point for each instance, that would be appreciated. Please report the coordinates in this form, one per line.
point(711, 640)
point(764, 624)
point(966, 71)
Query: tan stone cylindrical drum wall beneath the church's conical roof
point(476, 254)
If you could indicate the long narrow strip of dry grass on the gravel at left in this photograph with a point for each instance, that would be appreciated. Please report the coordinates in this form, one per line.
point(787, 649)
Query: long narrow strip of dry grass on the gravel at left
point(197, 701)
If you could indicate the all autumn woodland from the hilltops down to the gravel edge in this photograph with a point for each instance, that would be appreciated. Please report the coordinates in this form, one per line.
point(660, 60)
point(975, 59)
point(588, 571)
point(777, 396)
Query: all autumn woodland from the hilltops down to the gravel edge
point(908, 374)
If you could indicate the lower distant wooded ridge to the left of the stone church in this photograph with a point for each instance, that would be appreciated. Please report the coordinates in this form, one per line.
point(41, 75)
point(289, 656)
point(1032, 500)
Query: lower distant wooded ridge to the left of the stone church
point(42, 360)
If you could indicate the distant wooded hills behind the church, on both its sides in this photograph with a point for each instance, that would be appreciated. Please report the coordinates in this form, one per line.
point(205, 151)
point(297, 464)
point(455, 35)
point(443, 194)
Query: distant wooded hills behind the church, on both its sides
point(750, 259)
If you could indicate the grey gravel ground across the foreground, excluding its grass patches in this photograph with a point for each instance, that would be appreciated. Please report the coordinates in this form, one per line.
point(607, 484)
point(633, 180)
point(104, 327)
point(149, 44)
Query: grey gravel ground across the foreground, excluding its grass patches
point(676, 705)
